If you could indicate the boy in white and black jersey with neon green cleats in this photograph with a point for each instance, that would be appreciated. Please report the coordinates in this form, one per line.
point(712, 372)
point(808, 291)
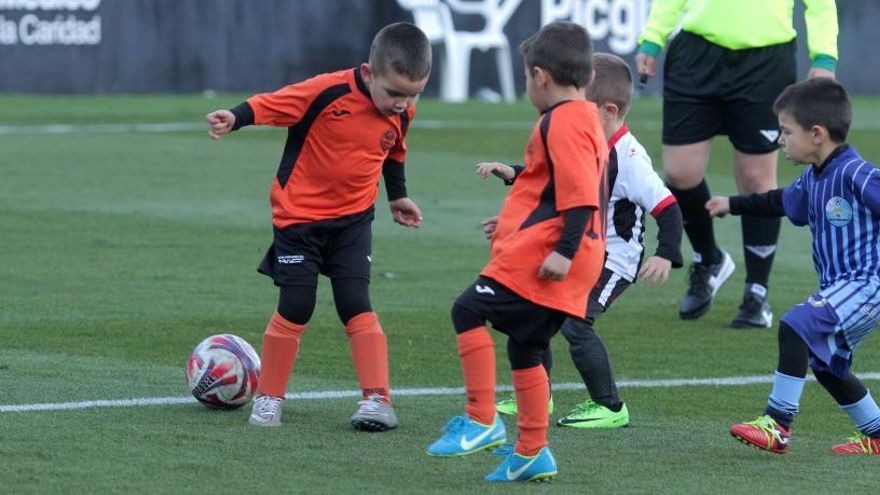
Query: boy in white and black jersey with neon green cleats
point(636, 189)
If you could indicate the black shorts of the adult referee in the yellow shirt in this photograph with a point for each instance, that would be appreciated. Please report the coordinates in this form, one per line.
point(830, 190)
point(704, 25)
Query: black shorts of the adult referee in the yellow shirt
point(710, 90)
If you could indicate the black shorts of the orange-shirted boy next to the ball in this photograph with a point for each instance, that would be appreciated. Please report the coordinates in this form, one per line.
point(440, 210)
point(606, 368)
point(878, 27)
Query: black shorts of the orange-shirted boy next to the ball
point(339, 247)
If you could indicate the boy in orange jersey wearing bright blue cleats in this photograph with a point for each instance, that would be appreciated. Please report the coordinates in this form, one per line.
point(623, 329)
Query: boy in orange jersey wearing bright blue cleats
point(546, 254)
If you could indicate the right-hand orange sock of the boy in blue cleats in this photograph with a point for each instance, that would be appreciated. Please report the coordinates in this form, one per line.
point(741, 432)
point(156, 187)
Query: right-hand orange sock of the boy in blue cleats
point(532, 388)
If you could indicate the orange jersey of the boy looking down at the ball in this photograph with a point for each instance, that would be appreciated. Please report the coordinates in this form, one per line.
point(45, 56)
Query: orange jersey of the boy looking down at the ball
point(337, 142)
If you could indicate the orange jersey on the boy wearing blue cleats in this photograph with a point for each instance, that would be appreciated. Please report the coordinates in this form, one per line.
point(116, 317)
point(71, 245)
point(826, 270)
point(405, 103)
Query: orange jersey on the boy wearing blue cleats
point(564, 168)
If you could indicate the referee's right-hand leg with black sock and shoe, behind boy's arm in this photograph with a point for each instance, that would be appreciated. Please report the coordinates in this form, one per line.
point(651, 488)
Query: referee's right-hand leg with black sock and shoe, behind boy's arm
point(756, 173)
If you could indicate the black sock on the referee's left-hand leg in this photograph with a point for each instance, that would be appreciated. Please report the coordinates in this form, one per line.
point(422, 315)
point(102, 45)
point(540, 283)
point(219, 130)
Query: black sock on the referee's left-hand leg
point(697, 222)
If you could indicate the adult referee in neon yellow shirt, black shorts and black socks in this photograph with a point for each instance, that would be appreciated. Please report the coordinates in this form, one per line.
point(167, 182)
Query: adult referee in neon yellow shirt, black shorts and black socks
point(722, 73)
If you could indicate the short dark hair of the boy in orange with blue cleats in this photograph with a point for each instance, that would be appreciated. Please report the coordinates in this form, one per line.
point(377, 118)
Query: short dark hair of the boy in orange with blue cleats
point(563, 49)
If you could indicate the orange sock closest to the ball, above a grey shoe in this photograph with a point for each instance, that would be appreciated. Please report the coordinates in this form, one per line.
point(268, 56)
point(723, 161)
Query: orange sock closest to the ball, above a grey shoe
point(280, 348)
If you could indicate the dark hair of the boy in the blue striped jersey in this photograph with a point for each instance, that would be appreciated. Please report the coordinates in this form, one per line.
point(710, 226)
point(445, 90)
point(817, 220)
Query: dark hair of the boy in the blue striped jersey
point(818, 101)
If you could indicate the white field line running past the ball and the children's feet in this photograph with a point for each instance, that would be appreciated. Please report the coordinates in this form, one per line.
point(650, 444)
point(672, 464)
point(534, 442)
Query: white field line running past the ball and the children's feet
point(420, 392)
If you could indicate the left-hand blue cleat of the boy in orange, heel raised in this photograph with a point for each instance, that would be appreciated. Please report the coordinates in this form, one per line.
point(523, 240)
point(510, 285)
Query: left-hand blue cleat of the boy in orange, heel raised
point(463, 436)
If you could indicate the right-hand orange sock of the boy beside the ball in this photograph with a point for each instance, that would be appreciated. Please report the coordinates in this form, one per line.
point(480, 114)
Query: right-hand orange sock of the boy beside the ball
point(369, 351)
